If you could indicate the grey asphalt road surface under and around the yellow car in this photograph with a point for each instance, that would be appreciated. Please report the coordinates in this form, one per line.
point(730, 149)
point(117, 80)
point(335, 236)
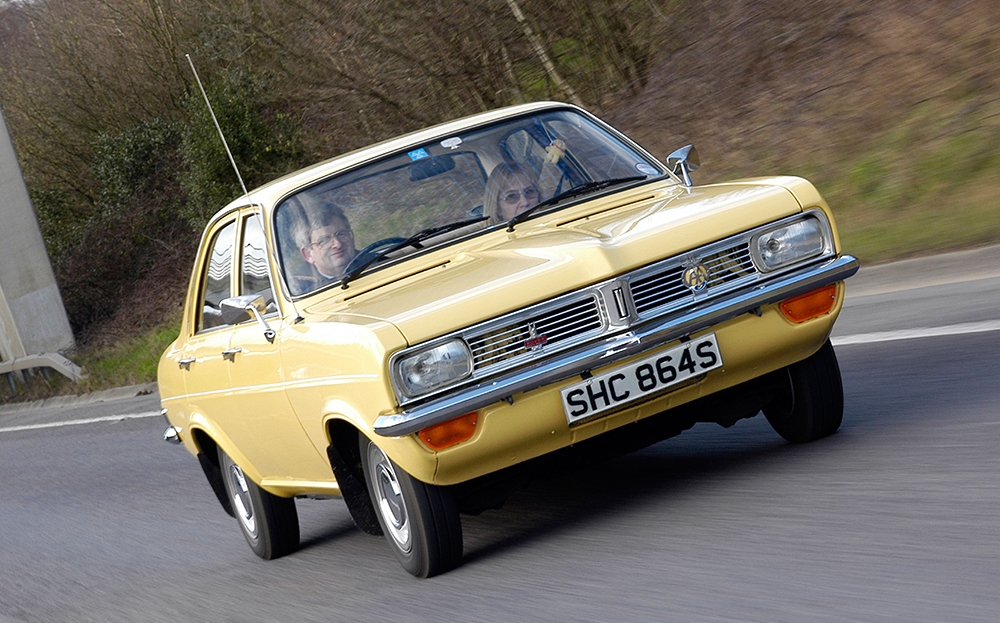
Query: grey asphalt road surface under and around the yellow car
point(894, 518)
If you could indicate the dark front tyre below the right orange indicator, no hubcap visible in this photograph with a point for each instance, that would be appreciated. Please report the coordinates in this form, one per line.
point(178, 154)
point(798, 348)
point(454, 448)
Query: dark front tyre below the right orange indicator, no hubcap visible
point(812, 405)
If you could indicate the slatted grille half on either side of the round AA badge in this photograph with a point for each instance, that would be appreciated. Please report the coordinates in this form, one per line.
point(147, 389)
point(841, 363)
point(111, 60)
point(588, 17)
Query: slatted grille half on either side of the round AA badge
point(666, 287)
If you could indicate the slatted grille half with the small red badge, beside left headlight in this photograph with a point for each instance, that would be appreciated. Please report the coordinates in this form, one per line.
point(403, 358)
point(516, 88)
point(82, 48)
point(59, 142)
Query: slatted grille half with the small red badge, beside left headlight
point(556, 325)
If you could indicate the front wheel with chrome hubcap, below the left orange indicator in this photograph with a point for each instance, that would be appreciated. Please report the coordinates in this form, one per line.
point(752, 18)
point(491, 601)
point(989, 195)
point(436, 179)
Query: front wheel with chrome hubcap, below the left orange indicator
point(419, 520)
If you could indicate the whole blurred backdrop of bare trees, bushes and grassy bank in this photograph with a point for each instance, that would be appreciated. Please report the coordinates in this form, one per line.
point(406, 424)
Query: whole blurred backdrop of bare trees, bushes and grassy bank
point(892, 107)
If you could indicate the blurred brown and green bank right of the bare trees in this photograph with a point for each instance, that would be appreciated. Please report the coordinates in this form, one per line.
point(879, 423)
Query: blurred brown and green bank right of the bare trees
point(892, 108)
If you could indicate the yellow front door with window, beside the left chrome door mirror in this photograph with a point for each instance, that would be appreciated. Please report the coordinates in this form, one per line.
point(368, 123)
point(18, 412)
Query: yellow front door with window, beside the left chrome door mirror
point(259, 417)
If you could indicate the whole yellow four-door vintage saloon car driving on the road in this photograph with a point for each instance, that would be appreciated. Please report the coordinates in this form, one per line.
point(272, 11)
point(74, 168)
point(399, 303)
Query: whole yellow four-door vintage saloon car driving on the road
point(418, 326)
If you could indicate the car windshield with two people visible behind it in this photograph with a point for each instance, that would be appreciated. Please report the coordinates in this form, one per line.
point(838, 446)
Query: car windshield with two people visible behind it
point(452, 187)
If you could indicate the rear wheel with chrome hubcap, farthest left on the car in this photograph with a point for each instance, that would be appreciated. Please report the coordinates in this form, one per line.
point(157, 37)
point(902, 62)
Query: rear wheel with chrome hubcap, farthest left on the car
point(269, 523)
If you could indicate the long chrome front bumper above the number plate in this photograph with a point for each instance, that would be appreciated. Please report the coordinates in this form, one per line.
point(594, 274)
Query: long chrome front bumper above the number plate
point(617, 347)
